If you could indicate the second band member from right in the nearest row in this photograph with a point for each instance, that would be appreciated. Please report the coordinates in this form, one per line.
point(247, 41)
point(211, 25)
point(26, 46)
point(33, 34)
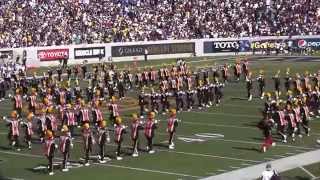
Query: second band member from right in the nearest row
point(149, 129)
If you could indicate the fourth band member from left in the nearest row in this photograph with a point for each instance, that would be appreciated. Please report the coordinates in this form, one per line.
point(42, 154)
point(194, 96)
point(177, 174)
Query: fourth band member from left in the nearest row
point(103, 137)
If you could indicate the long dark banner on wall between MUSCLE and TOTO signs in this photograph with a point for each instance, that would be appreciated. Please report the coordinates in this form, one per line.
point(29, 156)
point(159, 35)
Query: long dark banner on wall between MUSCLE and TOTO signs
point(152, 49)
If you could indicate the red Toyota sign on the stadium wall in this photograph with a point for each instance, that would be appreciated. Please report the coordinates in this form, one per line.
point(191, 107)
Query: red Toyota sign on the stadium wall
point(53, 54)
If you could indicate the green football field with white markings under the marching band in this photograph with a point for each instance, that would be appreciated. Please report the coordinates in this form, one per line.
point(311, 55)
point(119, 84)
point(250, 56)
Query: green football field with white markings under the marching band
point(208, 142)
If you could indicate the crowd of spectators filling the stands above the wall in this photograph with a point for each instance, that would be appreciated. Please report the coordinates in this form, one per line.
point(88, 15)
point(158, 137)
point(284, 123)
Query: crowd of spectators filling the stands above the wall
point(60, 22)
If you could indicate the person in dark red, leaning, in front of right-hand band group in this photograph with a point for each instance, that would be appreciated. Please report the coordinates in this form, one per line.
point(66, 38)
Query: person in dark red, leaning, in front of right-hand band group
point(265, 125)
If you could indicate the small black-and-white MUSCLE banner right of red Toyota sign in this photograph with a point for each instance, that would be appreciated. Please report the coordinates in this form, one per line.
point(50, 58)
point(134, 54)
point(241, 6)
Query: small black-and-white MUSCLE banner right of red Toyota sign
point(92, 52)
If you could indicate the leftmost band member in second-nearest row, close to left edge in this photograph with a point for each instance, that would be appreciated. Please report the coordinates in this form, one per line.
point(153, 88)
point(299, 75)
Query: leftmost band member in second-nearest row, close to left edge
point(13, 135)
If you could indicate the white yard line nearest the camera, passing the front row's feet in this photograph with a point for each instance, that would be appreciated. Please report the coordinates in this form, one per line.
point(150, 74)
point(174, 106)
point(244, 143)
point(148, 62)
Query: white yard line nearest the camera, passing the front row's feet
point(110, 165)
